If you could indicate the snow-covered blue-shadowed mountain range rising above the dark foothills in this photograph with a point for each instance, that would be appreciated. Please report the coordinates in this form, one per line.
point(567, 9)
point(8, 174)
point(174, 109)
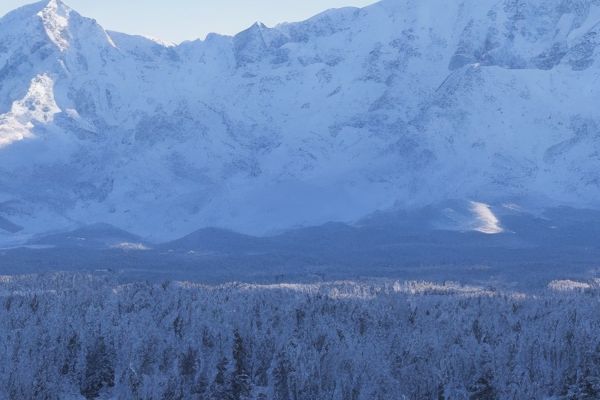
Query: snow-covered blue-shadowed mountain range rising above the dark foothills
point(401, 105)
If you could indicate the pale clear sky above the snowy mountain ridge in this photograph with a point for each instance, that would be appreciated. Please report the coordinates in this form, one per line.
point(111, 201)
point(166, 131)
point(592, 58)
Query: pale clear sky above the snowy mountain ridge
point(178, 20)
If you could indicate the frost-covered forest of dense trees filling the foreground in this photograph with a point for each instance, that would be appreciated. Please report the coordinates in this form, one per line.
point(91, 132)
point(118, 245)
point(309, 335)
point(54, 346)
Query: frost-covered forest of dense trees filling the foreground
point(68, 336)
